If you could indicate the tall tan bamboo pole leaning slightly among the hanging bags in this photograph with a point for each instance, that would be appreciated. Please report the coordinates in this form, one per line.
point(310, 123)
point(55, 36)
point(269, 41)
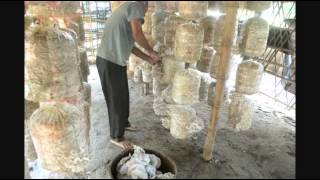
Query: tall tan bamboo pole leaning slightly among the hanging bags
point(229, 27)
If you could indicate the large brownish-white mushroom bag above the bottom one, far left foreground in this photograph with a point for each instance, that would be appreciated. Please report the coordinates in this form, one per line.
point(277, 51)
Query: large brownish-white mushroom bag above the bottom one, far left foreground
point(53, 69)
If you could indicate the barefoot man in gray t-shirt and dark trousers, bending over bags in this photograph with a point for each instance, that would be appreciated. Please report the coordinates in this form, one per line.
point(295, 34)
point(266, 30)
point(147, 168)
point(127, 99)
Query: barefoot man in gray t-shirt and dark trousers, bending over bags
point(122, 29)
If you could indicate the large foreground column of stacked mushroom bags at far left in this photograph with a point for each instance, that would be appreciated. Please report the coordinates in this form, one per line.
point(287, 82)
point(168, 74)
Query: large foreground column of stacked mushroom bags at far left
point(59, 128)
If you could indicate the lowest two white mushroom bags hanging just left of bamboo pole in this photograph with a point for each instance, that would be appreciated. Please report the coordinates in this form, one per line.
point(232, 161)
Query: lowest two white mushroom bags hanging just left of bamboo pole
point(181, 117)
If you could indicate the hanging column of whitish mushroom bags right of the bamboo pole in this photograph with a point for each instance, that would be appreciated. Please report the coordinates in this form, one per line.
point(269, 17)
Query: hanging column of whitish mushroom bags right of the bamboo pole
point(249, 72)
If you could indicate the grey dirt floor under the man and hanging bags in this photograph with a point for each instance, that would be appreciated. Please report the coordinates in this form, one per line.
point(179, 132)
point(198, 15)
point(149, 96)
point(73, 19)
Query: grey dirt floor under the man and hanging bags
point(267, 150)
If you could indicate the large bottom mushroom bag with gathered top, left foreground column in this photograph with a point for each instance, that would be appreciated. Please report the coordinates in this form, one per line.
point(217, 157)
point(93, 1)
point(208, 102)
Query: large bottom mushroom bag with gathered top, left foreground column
point(56, 136)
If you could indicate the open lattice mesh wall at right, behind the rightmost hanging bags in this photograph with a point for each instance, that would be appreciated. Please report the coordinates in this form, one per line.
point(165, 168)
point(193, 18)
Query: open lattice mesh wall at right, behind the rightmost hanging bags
point(279, 59)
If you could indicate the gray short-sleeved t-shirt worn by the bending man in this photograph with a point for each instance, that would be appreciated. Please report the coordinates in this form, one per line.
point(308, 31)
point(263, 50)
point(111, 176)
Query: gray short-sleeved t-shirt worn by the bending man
point(117, 41)
